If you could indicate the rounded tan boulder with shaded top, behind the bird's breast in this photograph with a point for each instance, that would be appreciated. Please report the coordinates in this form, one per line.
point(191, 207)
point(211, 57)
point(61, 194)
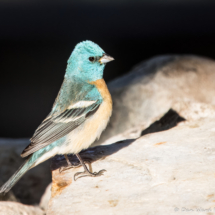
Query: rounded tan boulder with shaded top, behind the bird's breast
point(155, 86)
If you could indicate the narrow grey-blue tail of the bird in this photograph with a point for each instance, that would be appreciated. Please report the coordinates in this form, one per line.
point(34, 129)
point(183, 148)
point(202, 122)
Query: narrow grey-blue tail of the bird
point(16, 176)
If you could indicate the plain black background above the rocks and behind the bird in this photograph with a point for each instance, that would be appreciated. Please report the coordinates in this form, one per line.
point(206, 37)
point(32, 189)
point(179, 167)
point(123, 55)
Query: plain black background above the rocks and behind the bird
point(37, 37)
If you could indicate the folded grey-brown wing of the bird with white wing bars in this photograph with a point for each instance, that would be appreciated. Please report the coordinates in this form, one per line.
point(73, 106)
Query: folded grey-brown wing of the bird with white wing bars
point(60, 123)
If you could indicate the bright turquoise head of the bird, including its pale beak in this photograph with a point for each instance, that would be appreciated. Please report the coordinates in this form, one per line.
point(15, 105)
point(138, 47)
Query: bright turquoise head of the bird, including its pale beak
point(87, 62)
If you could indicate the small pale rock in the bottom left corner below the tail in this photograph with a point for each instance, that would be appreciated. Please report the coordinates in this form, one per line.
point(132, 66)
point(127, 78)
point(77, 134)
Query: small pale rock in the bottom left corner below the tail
point(14, 208)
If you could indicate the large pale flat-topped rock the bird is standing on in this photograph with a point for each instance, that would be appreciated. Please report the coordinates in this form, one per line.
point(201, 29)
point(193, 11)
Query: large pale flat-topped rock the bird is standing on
point(158, 173)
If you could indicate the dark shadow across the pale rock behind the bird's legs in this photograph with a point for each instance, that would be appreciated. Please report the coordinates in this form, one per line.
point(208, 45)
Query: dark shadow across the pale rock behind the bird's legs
point(169, 120)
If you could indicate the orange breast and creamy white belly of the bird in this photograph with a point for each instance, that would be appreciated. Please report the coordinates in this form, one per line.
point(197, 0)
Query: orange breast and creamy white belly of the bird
point(85, 134)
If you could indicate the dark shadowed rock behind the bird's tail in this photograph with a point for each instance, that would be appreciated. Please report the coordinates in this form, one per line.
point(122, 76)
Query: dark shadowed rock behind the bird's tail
point(31, 186)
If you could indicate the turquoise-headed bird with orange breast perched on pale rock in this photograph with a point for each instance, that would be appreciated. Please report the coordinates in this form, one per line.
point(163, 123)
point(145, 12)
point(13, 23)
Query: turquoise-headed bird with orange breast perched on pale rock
point(79, 114)
